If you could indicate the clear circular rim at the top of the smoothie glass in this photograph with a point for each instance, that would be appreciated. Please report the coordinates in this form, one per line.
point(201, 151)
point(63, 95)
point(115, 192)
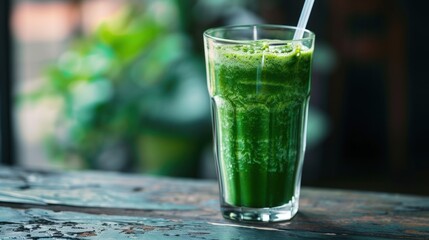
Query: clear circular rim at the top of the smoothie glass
point(208, 33)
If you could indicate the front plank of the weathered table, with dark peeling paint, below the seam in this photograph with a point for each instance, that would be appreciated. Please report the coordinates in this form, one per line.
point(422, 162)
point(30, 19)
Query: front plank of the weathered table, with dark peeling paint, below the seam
point(38, 224)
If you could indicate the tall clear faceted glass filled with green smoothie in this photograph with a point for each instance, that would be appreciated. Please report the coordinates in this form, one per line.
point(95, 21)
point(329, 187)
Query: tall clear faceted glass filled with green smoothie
point(259, 82)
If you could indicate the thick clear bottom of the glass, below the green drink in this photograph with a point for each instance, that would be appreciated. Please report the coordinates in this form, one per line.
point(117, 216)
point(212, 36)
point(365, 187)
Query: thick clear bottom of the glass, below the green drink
point(276, 214)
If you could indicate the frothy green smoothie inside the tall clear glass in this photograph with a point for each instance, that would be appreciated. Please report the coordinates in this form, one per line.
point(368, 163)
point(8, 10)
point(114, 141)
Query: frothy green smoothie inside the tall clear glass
point(259, 102)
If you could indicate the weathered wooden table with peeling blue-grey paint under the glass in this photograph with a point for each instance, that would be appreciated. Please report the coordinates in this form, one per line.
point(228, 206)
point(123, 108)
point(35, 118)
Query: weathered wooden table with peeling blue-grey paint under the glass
point(99, 205)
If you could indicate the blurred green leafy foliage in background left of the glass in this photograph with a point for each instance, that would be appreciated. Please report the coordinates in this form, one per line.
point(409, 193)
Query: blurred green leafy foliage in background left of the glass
point(133, 94)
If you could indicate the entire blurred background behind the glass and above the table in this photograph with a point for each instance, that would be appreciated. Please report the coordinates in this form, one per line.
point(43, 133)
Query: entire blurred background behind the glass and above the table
point(120, 85)
